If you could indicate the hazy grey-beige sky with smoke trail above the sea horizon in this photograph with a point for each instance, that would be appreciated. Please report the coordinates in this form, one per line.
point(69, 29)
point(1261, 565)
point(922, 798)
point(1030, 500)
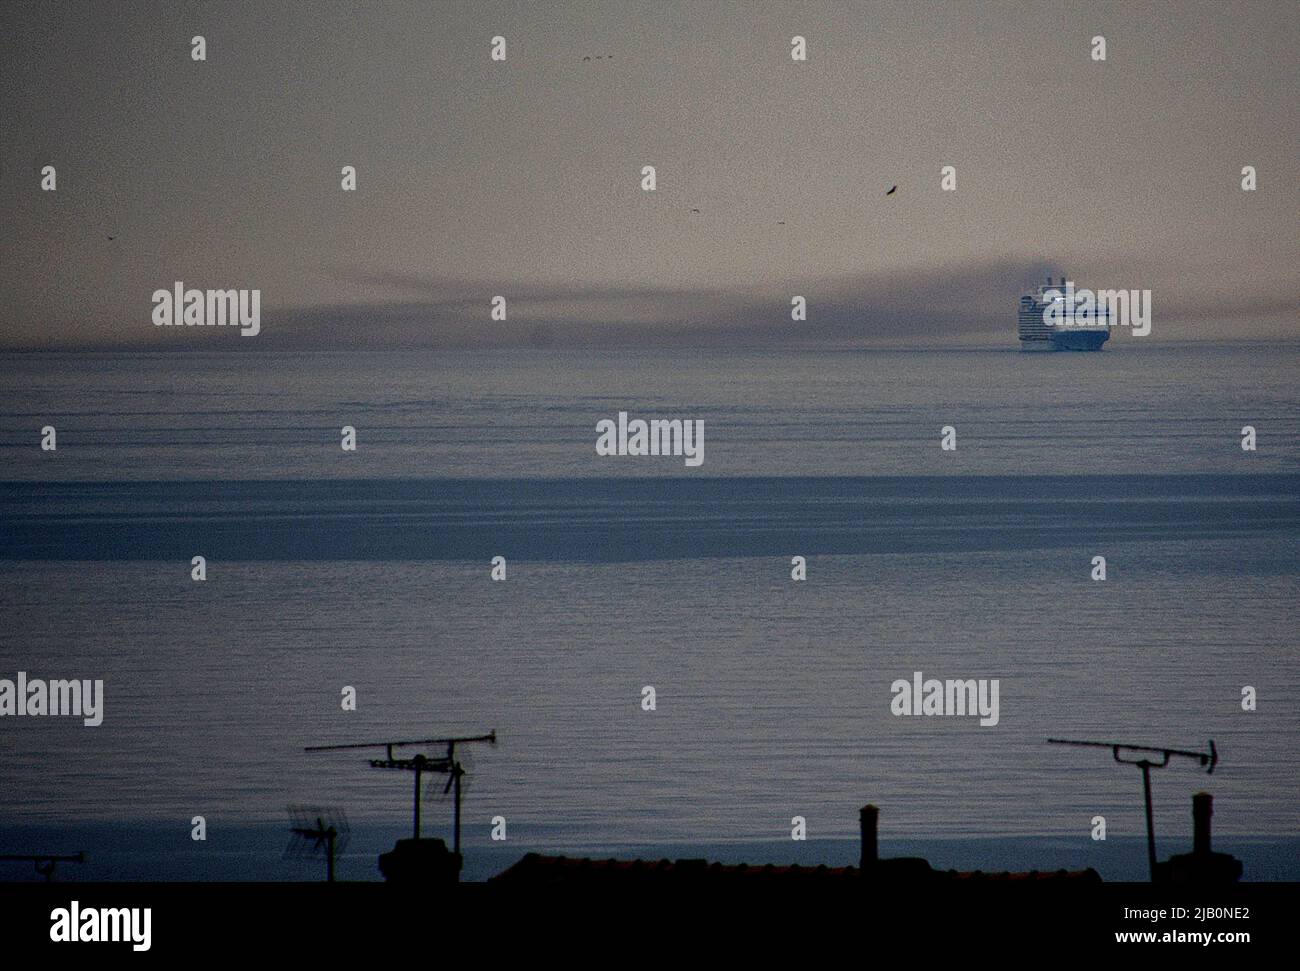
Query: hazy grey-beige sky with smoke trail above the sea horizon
point(523, 179)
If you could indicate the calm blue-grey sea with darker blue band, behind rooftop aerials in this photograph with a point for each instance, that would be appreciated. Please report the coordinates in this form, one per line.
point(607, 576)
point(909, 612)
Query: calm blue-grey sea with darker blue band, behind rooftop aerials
point(372, 570)
